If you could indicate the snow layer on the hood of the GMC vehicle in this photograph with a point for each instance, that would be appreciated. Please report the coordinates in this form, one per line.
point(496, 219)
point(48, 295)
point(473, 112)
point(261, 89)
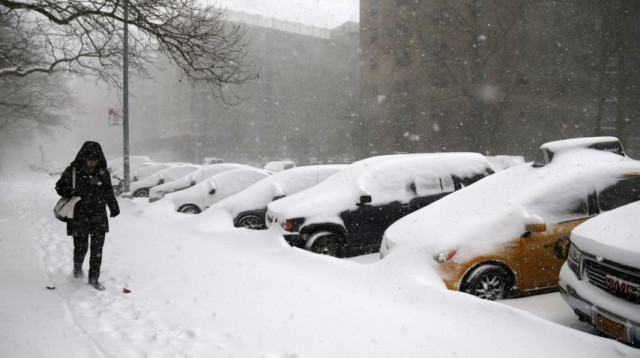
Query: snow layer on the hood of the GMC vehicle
point(614, 235)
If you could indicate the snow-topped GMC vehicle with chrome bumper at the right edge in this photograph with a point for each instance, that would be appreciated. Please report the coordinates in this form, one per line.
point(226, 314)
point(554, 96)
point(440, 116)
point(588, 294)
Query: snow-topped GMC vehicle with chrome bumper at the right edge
point(601, 278)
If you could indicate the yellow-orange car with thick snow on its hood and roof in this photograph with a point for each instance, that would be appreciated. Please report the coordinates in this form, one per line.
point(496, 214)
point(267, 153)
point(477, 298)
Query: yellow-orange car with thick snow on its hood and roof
point(509, 232)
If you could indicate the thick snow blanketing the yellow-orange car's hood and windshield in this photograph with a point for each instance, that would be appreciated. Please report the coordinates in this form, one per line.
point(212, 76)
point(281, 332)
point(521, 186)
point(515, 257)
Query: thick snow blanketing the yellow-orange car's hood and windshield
point(497, 208)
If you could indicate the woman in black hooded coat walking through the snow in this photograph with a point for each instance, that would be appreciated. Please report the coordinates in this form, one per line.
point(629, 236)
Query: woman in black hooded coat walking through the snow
point(90, 222)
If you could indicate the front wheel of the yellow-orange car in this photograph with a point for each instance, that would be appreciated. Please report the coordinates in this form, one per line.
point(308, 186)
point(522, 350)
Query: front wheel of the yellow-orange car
point(489, 282)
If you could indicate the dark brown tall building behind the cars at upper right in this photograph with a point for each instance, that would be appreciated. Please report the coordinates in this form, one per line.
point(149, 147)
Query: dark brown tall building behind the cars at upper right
point(497, 77)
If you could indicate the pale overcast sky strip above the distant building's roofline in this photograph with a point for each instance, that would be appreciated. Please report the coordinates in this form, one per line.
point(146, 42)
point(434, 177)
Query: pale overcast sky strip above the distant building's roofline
point(321, 13)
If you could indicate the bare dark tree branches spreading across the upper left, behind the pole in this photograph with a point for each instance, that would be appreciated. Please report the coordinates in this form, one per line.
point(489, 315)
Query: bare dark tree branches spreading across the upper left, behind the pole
point(84, 37)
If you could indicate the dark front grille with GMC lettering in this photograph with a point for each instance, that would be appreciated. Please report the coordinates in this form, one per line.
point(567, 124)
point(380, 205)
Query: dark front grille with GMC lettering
point(618, 280)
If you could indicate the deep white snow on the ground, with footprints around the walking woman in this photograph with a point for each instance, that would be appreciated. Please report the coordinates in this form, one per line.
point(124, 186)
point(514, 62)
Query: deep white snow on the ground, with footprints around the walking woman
point(201, 288)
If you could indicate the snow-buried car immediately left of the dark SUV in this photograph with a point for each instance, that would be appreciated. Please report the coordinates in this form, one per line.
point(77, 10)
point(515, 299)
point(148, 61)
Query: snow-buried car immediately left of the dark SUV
point(248, 207)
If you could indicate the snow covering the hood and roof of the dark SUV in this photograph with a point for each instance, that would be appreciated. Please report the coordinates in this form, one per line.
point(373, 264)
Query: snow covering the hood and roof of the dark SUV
point(386, 178)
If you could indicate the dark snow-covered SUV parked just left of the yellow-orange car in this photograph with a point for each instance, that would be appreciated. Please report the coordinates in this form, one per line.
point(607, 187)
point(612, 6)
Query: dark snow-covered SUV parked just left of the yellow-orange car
point(348, 213)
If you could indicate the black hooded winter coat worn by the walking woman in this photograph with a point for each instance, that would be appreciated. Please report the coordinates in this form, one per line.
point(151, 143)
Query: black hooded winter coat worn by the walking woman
point(94, 188)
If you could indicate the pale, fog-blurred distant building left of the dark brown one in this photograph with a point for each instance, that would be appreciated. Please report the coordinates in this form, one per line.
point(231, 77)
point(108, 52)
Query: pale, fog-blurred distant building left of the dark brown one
point(301, 106)
